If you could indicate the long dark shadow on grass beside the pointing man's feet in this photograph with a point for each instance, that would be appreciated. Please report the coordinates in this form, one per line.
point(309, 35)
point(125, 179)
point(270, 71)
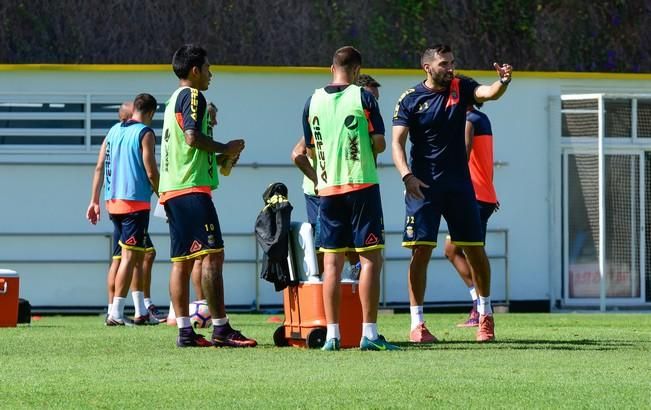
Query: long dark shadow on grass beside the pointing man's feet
point(524, 344)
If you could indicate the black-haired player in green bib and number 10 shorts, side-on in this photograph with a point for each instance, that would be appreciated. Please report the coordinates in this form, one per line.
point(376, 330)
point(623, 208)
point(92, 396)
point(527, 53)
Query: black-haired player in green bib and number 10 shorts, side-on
point(188, 175)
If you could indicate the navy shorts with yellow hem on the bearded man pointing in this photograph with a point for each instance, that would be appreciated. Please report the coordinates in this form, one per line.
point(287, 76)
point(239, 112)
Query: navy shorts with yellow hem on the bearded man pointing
point(460, 210)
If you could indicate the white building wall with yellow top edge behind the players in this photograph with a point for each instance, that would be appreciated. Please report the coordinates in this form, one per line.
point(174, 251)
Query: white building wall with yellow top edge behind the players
point(62, 259)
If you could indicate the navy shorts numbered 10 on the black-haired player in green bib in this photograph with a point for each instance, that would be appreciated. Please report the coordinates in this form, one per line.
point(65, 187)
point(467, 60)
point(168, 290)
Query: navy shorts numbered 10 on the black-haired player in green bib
point(194, 226)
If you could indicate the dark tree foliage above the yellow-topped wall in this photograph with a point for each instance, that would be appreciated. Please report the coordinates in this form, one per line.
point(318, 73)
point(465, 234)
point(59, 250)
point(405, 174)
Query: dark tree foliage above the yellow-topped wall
point(552, 35)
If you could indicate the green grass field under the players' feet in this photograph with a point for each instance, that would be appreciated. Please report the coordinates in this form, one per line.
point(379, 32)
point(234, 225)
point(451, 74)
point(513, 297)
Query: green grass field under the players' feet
point(539, 360)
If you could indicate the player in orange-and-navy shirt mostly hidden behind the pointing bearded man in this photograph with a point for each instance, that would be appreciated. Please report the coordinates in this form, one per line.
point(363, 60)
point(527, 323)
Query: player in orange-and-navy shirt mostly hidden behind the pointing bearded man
point(479, 149)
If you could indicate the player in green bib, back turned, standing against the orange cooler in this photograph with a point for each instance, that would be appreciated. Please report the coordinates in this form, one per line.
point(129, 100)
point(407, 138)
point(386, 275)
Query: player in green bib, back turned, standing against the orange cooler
point(344, 131)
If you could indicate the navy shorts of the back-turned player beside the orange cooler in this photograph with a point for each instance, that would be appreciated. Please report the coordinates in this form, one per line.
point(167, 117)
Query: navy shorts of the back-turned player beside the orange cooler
point(352, 221)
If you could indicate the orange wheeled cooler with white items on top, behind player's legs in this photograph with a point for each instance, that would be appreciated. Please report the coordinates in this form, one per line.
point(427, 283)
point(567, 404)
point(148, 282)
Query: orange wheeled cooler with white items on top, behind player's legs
point(305, 323)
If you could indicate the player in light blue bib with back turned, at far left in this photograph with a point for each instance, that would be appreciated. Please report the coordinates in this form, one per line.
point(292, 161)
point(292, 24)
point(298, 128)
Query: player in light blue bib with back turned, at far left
point(127, 160)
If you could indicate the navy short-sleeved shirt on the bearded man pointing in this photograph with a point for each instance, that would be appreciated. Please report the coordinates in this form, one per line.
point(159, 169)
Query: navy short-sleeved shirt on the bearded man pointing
point(437, 123)
